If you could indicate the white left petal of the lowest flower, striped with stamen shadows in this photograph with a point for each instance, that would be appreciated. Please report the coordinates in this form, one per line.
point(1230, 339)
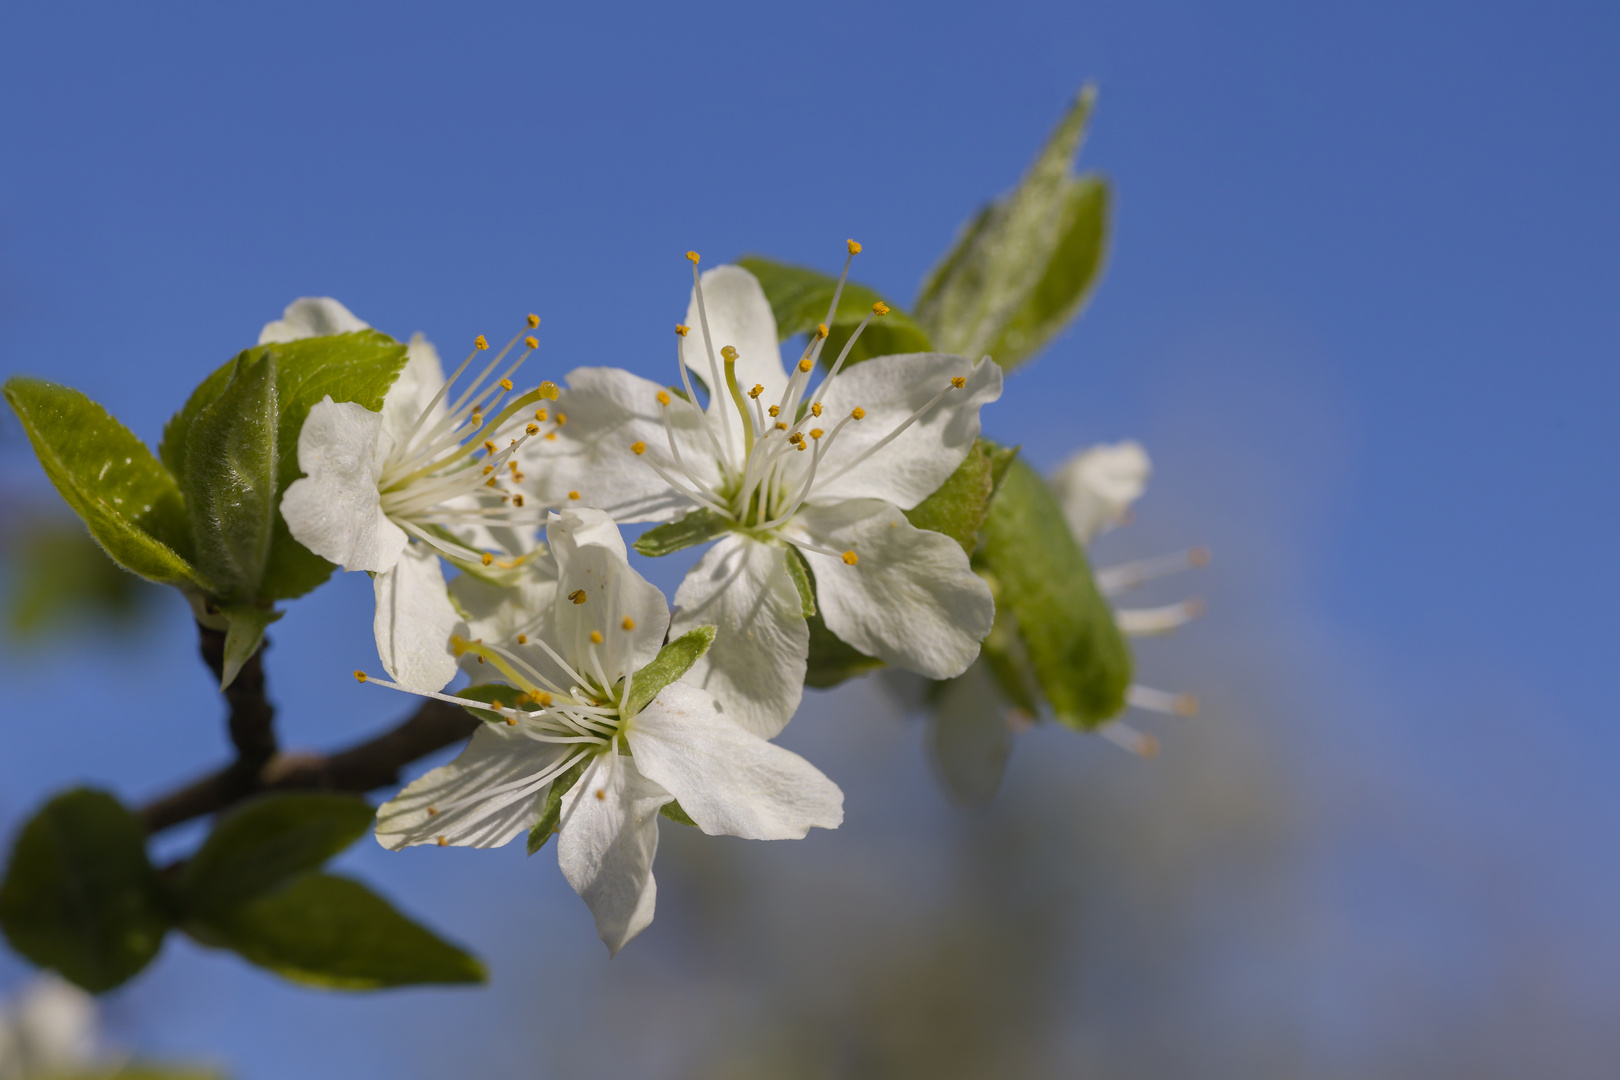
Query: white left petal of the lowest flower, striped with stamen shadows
point(484, 799)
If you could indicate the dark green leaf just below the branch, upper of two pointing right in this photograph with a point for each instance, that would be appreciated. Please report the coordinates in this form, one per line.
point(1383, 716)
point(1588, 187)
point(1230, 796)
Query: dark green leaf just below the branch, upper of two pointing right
point(265, 843)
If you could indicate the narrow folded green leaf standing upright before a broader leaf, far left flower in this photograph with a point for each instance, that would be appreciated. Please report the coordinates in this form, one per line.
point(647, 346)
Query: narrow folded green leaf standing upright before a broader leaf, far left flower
point(231, 480)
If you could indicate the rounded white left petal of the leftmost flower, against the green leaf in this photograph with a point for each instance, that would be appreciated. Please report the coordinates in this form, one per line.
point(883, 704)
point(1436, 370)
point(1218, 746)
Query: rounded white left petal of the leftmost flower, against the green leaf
point(336, 511)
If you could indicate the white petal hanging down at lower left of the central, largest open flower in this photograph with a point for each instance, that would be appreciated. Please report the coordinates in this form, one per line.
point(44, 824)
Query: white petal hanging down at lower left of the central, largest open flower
point(757, 666)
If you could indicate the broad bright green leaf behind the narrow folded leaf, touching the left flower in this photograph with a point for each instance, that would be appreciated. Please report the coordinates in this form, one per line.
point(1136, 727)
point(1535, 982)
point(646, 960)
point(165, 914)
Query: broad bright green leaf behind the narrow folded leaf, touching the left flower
point(351, 368)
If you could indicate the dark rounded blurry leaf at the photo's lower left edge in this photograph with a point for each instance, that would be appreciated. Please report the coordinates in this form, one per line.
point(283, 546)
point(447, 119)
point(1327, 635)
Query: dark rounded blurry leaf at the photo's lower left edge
point(80, 895)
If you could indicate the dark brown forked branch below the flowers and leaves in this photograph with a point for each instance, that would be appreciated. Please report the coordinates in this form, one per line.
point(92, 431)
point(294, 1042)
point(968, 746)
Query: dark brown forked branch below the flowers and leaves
point(258, 767)
